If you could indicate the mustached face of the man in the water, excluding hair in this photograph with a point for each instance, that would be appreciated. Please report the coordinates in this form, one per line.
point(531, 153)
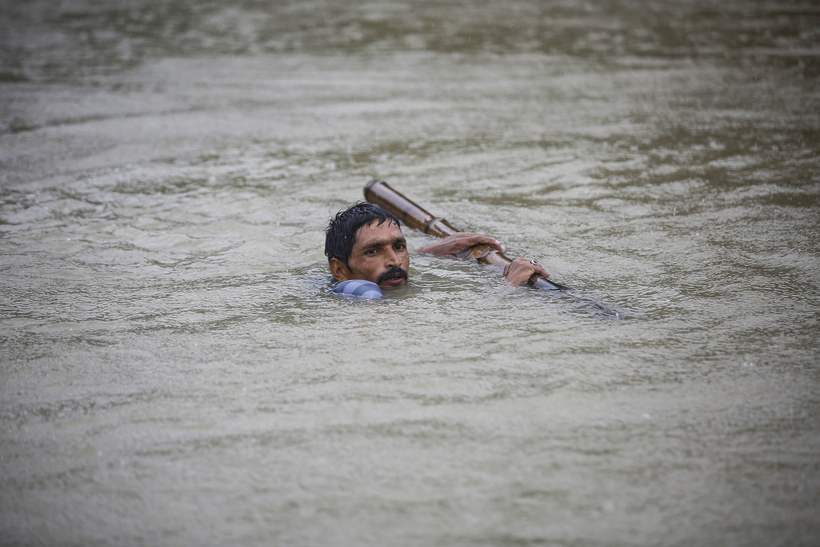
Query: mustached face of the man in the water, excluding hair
point(379, 255)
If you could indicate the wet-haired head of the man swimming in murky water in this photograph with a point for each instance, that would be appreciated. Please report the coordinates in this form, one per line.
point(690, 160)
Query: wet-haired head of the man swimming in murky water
point(365, 242)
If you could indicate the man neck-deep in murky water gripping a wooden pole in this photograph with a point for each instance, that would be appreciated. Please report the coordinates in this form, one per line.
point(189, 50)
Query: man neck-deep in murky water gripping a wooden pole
point(368, 252)
